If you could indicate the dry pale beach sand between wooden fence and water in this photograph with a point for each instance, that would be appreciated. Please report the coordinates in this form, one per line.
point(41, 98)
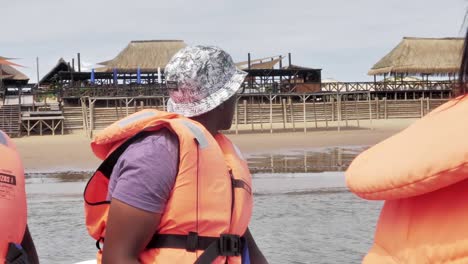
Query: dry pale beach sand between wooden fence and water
point(73, 153)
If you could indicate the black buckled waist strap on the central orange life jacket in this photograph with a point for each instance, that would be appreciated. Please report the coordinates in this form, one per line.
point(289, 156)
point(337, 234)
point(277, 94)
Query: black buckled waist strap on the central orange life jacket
point(225, 245)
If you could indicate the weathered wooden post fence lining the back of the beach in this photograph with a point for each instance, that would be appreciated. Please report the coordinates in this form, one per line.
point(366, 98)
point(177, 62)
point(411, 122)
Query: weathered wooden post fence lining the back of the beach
point(267, 113)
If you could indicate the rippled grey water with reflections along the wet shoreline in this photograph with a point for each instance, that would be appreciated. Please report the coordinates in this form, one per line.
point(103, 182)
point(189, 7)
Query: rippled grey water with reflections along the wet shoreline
point(303, 213)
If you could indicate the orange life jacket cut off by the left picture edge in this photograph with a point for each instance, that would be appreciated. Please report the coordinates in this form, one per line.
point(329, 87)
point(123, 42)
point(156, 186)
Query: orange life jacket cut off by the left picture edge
point(12, 196)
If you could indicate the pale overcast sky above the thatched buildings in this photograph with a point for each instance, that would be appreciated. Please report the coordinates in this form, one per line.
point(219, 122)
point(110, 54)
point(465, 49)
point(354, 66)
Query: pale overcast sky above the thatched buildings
point(343, 38)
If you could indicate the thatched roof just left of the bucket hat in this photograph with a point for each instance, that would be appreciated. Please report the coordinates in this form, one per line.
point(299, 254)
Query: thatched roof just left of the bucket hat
point(146, 54)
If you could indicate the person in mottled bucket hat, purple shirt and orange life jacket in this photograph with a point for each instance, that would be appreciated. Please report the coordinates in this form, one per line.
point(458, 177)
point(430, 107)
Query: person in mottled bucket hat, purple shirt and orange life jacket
point(172, 189)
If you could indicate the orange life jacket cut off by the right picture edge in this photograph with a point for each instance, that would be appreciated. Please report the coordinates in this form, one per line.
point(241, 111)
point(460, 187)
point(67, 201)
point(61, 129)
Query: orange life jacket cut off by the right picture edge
point(422, 174)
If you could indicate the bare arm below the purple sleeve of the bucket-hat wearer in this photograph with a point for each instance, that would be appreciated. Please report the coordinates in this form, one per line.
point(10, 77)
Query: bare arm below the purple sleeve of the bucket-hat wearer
point(128, 232)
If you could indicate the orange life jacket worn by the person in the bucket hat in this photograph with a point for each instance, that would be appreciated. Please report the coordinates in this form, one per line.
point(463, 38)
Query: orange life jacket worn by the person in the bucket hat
point(210, 204)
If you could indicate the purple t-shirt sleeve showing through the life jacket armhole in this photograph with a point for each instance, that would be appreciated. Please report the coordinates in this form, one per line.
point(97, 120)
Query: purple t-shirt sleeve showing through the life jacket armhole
point(145, 173)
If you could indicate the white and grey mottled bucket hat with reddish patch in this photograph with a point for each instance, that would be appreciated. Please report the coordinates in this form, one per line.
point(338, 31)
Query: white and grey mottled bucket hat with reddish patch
point(201, 78)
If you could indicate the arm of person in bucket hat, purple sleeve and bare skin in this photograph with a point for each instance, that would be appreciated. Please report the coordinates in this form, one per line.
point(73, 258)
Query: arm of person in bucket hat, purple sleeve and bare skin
point(139, 188)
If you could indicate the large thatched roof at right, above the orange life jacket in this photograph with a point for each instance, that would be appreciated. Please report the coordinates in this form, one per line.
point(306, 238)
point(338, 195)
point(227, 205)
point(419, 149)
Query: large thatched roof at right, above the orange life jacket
point(435, 56)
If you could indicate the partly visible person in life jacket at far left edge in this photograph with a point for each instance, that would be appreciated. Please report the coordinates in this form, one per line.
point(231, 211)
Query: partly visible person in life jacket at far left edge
point(16, 245)
